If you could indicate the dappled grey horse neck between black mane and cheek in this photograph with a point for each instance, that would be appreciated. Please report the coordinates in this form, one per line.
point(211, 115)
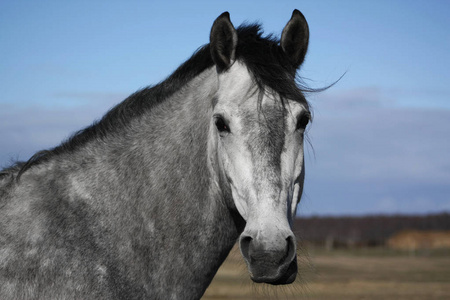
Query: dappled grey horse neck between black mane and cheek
point(149, 192)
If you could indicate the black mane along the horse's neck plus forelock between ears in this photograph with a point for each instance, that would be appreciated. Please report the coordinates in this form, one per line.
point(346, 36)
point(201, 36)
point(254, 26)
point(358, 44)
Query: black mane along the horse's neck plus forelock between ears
point(263, 57)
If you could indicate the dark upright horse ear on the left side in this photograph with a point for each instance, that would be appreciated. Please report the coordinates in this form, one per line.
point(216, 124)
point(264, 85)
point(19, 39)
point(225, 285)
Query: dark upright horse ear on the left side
point(223, 42)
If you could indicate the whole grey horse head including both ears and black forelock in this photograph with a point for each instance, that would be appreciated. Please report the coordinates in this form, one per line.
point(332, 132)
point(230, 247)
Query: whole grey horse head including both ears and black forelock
point(258, 131)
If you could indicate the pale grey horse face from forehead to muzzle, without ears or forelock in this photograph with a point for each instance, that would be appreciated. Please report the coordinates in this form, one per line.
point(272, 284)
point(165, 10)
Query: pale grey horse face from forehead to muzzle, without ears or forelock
point(260, 154)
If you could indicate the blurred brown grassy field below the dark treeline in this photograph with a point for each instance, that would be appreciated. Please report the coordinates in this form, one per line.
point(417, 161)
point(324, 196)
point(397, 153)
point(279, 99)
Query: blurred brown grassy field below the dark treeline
point(351, 274)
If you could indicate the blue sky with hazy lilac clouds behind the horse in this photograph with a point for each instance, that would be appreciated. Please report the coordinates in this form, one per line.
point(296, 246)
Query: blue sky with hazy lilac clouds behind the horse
point(380, 136)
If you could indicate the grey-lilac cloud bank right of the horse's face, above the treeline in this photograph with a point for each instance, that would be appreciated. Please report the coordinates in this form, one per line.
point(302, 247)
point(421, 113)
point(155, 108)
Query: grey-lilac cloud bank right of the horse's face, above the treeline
point(373, 156)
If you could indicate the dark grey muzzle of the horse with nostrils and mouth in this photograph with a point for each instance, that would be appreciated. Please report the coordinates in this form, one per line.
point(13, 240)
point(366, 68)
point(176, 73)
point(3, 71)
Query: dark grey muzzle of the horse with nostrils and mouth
point(271, 260)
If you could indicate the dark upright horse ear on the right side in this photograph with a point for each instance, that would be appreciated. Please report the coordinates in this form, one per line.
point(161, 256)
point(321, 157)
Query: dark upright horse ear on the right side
point(295, 37)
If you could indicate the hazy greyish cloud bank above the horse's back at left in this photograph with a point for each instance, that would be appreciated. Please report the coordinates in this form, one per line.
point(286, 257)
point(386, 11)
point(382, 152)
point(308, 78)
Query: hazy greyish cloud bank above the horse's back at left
point(26, 130)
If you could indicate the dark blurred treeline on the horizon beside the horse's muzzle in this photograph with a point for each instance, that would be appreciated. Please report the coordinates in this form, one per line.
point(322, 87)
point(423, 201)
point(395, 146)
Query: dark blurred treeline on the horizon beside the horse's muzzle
point(363, 231)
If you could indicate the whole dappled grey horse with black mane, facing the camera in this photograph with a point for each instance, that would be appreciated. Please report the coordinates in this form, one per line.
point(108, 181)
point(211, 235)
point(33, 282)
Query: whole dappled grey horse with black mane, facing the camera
point(148, 201)
